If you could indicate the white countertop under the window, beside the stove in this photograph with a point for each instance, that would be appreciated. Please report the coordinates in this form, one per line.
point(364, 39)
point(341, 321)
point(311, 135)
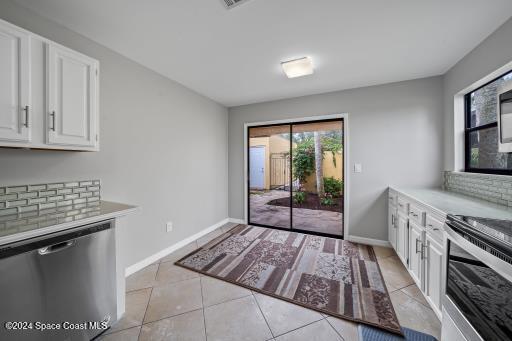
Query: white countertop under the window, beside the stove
point(447, 202)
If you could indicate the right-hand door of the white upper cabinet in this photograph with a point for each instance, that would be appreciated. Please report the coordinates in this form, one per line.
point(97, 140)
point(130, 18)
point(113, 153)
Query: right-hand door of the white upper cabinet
point(72, 98)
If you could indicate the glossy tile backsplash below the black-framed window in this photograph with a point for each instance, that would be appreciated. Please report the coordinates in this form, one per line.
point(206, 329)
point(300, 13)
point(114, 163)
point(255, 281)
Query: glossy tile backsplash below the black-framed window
point(490, 187)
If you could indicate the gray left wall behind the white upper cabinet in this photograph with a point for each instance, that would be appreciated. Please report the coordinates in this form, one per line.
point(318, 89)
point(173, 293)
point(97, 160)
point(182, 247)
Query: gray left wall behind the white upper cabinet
point(163, 147)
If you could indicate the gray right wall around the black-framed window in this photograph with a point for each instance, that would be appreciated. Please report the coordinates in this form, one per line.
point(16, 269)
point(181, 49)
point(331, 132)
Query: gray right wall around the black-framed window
point(491, 54)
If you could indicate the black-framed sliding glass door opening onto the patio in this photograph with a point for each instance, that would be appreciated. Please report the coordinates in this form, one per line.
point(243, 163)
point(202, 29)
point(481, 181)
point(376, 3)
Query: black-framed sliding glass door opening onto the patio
point(296, 176)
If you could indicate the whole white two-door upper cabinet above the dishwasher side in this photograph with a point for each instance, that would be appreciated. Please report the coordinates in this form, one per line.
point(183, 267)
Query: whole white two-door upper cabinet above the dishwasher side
point(49, 94)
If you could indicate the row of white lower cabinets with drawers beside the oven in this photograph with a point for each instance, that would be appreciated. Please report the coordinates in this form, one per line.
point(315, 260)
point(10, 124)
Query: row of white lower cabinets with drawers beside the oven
point(416, 236)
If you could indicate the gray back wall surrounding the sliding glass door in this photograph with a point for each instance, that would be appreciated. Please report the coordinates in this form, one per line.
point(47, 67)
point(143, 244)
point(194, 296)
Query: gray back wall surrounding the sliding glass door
point(396, 132)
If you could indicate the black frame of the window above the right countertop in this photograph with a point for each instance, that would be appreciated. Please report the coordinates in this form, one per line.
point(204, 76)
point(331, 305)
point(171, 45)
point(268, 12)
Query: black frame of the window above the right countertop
point(468, 130)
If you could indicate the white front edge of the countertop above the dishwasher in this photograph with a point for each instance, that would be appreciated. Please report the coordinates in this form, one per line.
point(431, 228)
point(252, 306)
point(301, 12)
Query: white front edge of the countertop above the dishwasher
point(123, 210)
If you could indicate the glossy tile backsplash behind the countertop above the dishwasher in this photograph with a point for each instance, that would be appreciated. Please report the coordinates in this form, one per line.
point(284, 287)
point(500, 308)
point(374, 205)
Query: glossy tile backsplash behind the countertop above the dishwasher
point(26, 198)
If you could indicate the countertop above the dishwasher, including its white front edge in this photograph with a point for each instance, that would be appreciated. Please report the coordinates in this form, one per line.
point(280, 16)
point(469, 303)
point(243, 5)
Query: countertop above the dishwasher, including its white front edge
point(28, 225)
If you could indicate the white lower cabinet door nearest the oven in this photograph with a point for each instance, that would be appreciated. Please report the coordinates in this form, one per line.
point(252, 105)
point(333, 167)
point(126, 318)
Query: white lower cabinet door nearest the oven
point(434, 273)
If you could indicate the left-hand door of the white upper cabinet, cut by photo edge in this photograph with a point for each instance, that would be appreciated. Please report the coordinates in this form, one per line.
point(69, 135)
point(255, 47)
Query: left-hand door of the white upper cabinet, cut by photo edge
point(14, 84)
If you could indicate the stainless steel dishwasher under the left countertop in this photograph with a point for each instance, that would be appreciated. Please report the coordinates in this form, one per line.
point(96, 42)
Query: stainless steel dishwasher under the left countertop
point(65, 279)
